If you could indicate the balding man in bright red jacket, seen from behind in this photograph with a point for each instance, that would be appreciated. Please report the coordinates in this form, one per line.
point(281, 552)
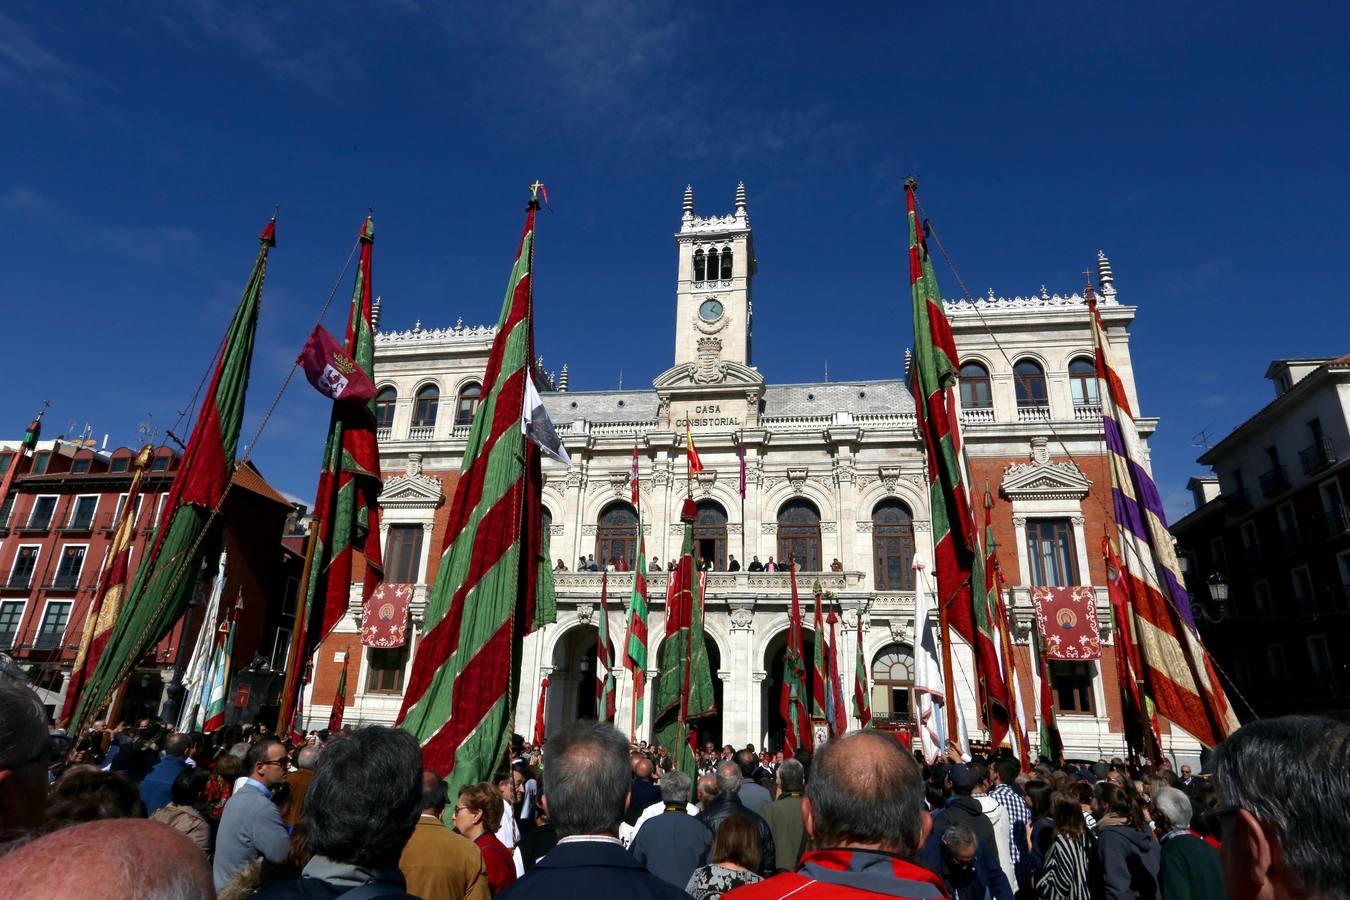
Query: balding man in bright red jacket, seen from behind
point(865, 814)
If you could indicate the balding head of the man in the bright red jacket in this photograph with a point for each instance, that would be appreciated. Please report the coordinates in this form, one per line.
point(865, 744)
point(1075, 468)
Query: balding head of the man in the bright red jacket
point(866, 791)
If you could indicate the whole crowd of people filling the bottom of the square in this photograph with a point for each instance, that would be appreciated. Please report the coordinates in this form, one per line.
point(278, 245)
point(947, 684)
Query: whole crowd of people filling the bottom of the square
point(145, 812)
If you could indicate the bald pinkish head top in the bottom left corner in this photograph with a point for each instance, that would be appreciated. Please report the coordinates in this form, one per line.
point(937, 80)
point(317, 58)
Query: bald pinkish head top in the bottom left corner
point(125, 857)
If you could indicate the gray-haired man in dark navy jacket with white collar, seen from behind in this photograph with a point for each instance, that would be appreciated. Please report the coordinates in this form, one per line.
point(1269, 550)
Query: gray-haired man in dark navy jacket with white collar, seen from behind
point(589, 779)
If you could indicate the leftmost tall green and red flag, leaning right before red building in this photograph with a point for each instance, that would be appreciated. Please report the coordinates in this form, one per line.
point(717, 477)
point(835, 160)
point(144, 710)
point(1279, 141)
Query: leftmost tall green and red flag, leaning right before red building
point(168, 575)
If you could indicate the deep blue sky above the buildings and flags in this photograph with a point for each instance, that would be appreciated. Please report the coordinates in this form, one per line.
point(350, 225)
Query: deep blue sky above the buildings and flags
point(1202, 146)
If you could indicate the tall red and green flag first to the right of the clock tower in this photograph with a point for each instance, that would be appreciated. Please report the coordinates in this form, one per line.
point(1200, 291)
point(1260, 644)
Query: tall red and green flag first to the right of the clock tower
point(955, 547)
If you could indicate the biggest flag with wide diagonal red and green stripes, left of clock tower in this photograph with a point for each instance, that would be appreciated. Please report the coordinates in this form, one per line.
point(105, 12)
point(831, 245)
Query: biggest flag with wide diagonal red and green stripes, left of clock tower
point(493, 586)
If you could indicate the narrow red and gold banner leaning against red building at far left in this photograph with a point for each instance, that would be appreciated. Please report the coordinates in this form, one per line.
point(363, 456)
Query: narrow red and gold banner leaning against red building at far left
point(113, 585)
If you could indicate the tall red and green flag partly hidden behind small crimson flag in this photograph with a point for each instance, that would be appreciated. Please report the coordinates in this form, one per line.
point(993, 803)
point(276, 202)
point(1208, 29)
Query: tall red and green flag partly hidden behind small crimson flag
point(346, 513)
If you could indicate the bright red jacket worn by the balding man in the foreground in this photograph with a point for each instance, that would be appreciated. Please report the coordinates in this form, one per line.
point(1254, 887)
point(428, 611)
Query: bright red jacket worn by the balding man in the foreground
point(847, 875)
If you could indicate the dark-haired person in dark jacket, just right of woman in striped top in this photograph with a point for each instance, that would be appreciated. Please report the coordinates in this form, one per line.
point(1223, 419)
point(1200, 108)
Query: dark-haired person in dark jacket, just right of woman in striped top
point(1127, 860)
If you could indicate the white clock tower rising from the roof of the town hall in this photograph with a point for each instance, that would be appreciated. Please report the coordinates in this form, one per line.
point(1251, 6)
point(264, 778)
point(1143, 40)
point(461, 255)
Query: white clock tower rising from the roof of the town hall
point(713, 288)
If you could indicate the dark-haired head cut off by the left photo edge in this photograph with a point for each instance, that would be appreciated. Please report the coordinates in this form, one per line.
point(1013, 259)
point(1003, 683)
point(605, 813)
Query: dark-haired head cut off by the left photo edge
point(25, 747)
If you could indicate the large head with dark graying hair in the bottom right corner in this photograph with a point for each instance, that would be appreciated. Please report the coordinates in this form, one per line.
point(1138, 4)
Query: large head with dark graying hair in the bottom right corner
point(1285, 809)
